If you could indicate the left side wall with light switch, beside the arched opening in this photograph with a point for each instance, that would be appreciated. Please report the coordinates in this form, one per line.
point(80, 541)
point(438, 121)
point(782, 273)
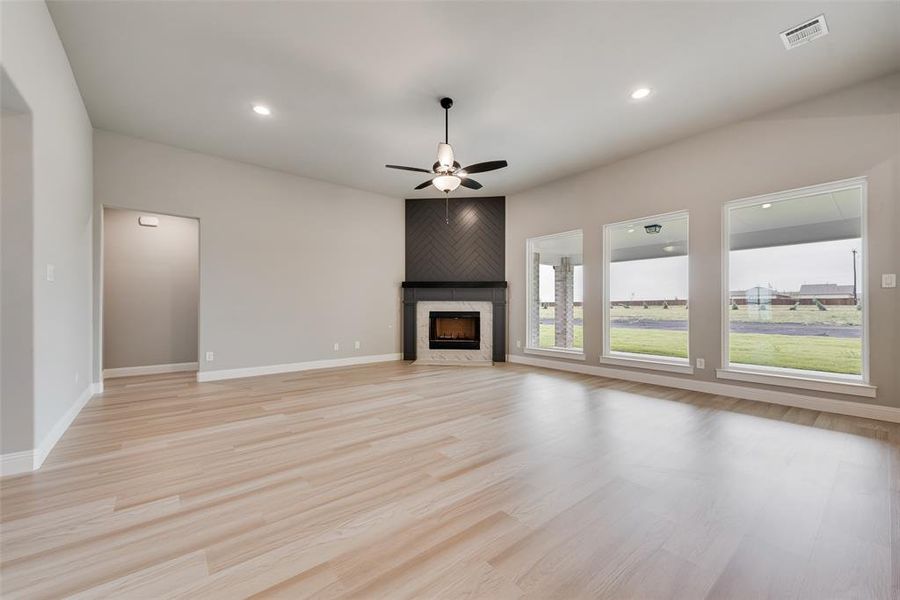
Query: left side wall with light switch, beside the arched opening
point(35, 61)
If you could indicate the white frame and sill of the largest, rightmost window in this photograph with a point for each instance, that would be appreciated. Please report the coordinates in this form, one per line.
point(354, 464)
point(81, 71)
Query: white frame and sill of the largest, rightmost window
point(784, 376)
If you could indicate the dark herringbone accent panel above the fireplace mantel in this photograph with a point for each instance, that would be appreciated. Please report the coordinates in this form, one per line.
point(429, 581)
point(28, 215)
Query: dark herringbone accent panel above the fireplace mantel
point(470, 248)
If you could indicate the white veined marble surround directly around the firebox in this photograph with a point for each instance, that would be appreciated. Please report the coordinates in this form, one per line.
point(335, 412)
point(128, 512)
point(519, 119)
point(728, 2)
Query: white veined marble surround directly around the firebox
point(425, 355)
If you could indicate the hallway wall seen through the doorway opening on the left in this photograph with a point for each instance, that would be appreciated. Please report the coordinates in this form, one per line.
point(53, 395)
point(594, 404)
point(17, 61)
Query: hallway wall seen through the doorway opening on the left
point(151, 290)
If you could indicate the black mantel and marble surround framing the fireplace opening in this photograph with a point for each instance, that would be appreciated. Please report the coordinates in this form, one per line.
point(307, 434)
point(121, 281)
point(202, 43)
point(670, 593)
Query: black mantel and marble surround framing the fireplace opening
point(488, 298)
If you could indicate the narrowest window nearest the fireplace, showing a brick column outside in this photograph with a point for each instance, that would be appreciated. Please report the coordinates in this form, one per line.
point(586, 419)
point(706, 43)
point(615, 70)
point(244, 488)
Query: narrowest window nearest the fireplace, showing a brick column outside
point(555, 318)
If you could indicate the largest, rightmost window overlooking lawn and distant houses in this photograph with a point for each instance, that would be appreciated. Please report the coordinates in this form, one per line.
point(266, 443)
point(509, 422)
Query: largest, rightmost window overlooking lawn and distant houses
point(794, 305)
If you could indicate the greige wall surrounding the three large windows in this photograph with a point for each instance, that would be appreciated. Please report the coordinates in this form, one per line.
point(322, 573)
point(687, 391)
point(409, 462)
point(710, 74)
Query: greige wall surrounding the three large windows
point(847, 134)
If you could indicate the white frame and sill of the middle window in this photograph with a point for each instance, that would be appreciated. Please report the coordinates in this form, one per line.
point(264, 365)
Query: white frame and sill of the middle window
point(646, 361)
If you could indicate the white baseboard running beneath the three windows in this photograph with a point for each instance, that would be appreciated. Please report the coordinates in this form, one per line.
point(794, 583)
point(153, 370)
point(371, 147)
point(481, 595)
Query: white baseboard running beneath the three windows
point(830, 405)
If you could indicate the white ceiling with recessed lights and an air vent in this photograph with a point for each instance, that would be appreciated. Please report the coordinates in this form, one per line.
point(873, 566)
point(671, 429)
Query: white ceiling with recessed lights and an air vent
point(544, 85)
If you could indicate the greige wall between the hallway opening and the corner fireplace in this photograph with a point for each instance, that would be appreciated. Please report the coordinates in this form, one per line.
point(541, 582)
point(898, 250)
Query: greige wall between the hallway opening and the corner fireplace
point(288, 265)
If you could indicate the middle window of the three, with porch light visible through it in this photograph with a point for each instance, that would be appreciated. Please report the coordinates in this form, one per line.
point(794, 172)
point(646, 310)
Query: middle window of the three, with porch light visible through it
point(646, 290)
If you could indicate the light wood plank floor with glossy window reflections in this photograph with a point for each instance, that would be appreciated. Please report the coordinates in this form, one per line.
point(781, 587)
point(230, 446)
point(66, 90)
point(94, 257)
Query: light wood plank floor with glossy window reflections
point(392, 481)
